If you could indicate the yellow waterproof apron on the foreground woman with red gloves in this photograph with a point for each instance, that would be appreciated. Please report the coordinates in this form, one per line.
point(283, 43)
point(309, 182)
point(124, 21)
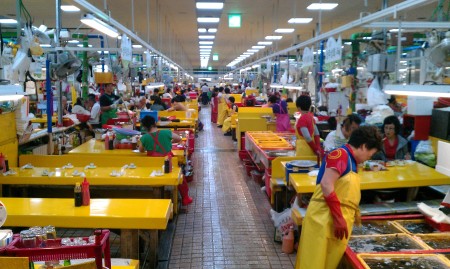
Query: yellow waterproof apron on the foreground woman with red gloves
point(319, 249)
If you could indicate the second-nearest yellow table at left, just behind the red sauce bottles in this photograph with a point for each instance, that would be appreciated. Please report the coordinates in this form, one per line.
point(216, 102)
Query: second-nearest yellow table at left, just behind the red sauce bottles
point(98, 176)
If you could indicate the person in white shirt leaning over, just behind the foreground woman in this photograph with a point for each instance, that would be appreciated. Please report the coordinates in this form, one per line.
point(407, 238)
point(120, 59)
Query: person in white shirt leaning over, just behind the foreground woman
point(340, 136)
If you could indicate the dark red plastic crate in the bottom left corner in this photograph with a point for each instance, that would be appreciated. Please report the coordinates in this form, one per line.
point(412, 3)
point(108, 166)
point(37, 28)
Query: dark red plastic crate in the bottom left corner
point(55, 251)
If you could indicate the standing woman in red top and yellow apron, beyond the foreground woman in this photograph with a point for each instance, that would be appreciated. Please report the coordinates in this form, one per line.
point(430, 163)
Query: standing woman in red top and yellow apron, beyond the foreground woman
point(308, 134)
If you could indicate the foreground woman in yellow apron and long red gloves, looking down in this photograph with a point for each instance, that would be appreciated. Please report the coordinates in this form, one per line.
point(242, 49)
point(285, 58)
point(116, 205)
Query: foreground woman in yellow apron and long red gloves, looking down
point(335, 203)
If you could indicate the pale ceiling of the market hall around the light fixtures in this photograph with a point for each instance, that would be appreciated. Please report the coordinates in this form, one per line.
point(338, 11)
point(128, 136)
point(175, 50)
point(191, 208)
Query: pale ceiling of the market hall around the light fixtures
point(173, 25)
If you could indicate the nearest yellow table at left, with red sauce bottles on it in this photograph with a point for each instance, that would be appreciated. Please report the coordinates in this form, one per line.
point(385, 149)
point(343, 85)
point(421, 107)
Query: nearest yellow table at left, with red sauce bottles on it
point(129, 215)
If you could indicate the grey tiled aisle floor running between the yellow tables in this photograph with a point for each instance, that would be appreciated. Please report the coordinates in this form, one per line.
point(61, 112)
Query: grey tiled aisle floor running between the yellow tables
point(228, 225)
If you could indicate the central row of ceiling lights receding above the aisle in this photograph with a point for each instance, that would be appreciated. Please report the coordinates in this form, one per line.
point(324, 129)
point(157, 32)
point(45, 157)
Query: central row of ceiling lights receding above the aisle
point(207, 21)
